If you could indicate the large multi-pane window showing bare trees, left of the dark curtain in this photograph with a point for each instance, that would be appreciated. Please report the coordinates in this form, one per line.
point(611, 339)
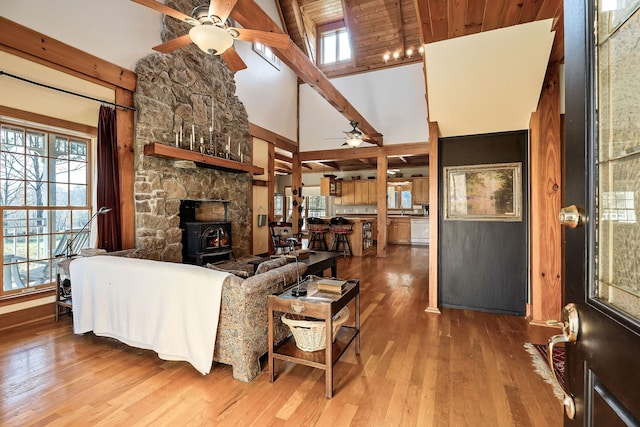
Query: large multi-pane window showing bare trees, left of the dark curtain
point(44, 199)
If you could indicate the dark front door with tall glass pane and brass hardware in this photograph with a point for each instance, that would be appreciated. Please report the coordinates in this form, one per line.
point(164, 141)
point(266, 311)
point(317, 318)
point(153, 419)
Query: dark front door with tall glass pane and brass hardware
point(602, 252)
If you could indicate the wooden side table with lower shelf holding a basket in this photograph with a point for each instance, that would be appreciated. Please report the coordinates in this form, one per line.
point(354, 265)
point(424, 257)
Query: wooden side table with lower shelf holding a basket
point(319, 305)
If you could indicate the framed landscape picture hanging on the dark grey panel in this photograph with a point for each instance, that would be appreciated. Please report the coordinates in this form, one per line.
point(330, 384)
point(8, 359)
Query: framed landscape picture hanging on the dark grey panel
point(489, 192)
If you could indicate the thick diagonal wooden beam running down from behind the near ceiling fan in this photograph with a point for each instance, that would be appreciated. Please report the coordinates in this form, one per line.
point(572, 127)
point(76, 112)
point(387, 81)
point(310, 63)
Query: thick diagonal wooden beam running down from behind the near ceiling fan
point(248, 14)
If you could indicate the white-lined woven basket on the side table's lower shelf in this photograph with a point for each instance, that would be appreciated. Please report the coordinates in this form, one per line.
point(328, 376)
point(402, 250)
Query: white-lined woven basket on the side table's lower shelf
point(310, 335)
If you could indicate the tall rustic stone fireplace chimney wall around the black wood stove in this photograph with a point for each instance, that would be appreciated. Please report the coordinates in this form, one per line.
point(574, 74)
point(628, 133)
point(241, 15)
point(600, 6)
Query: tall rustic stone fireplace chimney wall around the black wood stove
point(176, 90)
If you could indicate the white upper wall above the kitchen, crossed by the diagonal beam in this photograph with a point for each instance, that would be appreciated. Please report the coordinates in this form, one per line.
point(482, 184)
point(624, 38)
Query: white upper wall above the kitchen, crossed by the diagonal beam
point(392, 100)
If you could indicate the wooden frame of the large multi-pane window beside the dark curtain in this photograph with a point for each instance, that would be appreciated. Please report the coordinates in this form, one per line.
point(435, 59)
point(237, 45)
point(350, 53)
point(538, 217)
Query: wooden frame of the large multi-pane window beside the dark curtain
point(45, 241)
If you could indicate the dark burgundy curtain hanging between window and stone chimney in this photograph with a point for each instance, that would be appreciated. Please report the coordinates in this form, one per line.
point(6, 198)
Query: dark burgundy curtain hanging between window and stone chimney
point(108, 191)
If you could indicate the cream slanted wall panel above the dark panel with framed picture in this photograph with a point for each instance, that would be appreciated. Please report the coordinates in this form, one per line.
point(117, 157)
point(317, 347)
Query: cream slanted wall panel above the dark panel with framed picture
point(488, 82)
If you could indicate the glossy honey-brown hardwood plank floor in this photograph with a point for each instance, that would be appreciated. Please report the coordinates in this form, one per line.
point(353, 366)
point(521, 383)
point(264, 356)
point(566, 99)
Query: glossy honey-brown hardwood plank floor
point(459, 368)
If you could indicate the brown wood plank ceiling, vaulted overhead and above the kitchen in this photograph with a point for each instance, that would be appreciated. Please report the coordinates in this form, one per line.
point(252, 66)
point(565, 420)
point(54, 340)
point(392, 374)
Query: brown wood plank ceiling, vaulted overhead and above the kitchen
point(379, 27)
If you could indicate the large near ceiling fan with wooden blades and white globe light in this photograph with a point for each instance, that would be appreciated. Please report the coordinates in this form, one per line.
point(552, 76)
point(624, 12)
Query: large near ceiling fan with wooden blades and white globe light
point(212, 34)
